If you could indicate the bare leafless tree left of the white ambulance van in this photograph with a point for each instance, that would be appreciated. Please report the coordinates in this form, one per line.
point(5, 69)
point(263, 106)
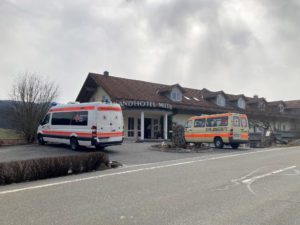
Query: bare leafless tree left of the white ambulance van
point(31, 97)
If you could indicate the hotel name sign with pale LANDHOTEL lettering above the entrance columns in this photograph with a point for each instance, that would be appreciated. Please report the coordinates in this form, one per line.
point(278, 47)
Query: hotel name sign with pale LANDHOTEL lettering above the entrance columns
point(144, 104)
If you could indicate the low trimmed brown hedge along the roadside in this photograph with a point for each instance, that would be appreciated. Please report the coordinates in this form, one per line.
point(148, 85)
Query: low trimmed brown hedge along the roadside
point(42, 168)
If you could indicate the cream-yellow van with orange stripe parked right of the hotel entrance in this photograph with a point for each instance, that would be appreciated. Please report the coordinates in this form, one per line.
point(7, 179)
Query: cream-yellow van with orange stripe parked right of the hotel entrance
point(220, 129)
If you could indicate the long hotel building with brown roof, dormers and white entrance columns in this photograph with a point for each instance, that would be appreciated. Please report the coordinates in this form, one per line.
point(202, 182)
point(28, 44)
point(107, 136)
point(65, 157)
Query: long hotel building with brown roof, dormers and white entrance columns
point(151, 109)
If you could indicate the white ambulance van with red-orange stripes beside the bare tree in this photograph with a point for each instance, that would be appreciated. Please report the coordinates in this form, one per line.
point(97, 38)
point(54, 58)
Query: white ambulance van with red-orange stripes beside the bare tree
point(96, 124)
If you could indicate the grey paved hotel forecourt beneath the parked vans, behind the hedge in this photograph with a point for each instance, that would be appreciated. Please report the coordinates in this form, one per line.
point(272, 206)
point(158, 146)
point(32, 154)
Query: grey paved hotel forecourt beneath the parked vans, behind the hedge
point(128, 153)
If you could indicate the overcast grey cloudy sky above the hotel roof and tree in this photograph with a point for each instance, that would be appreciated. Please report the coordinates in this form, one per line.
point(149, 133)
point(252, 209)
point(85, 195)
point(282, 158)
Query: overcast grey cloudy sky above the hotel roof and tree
point(248, 46)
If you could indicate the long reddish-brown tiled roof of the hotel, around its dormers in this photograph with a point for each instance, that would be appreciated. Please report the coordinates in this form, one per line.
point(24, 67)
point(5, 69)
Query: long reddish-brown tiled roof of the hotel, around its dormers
point(128, 89)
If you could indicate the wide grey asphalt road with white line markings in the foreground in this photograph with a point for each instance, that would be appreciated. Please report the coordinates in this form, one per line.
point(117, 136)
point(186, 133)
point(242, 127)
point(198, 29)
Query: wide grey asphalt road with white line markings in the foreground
point(246, 187)
